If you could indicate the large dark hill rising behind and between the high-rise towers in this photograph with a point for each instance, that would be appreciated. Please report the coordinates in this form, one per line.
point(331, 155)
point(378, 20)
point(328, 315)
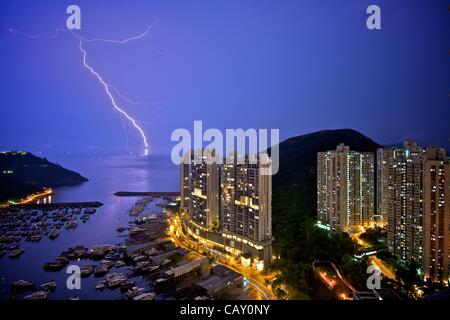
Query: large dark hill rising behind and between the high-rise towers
point(294, 186)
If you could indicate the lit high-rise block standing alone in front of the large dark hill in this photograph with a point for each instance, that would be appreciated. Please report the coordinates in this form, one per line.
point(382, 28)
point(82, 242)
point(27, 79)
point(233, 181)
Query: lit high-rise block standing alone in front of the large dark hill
point(345, 188)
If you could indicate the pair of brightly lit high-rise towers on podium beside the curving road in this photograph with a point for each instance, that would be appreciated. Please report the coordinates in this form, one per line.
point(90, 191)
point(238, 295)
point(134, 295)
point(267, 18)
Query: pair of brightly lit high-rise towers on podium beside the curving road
point(230, 205)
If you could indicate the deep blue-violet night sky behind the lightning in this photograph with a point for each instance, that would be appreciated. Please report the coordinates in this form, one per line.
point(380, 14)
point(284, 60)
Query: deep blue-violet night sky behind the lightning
point(299, 66)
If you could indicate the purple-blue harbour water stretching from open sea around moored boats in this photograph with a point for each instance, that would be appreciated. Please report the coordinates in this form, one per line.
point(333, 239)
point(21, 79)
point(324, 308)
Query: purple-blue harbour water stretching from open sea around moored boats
point(107, 174)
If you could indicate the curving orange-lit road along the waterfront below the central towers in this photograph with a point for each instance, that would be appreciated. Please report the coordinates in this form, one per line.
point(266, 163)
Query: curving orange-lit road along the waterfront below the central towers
point(255, 278)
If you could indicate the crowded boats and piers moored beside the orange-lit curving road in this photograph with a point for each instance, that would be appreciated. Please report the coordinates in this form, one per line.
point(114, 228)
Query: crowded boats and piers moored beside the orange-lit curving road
point(146, 256)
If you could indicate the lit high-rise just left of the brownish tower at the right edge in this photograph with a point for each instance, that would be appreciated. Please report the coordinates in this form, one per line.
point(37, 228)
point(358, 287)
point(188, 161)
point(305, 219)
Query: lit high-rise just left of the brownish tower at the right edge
point(399, 199)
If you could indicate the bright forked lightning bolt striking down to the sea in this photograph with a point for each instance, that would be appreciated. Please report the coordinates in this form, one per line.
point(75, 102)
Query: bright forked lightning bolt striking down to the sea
point(106, 86)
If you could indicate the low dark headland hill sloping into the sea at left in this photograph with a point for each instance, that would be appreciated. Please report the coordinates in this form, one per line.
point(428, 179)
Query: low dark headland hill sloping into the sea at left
point(22, 173)
